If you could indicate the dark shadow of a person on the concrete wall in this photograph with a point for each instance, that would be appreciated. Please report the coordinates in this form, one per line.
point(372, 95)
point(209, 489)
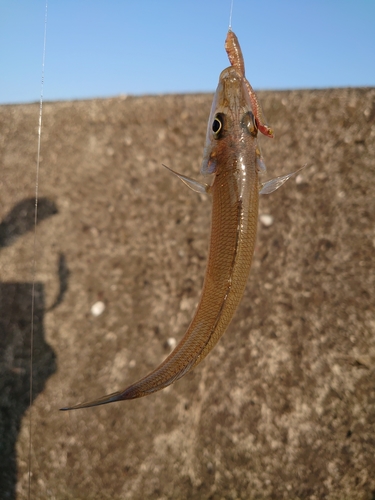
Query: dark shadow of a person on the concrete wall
point(15, 344)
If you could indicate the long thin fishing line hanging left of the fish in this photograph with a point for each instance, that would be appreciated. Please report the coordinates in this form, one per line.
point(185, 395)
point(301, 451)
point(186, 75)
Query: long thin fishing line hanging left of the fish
point(34, 250)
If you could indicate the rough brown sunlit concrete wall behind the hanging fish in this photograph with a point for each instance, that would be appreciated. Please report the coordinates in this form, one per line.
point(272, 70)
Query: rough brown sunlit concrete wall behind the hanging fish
point(284, 406)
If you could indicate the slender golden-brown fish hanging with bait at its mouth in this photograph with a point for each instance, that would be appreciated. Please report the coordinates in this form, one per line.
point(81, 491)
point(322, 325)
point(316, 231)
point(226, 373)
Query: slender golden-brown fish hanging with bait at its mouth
point(232, 165)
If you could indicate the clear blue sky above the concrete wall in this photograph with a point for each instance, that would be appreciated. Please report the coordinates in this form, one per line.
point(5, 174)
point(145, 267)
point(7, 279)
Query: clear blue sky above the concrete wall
point(106, 48)
